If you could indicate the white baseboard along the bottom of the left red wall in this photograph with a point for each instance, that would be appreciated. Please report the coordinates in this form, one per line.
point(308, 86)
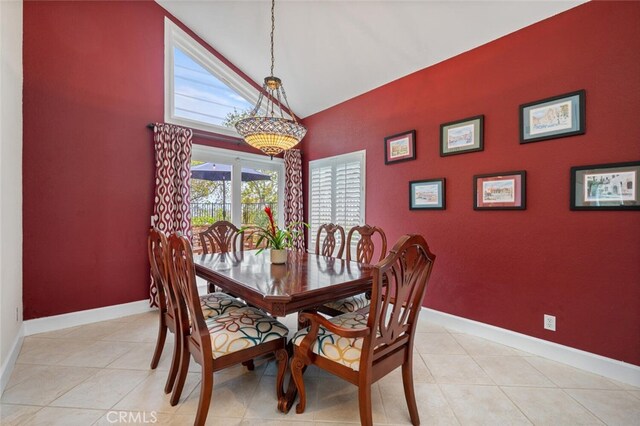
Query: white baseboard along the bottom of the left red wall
point(72, 319)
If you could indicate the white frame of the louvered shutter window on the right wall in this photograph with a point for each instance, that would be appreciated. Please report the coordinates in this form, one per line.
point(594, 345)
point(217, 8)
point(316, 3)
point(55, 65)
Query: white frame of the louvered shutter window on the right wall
point(334, 161)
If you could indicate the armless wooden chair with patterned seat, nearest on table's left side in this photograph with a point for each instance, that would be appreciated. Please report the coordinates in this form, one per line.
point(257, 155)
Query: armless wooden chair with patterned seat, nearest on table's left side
point(216, 343)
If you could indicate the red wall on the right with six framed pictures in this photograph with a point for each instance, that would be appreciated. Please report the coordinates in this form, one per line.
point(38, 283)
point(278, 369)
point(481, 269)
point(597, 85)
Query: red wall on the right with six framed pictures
point(508, 268)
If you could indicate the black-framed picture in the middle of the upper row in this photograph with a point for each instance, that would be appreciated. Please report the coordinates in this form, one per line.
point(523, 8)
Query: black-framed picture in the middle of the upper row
point(462, 136)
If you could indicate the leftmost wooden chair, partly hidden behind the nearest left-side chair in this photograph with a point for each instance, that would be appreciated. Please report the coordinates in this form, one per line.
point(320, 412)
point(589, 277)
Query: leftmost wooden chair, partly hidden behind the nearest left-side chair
point(212, 304)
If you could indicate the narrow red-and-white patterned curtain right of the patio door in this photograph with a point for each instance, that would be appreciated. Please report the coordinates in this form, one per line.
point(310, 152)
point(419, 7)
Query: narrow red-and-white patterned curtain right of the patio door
point(293, 204)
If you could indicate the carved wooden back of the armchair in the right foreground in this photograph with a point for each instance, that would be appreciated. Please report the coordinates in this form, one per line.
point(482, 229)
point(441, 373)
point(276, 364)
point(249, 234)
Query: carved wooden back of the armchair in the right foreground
point(399, 285)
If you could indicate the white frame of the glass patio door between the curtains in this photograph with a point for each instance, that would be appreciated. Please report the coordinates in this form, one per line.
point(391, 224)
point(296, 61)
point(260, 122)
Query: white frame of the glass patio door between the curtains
point(237, 160)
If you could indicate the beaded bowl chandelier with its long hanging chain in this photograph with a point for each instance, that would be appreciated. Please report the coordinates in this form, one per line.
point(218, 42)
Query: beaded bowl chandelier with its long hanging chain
point(271, 133)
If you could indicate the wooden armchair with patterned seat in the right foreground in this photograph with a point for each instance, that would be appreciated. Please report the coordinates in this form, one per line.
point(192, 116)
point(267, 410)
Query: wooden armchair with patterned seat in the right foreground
point(362, 348)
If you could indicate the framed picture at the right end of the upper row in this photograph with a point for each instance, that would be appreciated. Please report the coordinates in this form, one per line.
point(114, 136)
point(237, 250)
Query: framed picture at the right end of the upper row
point(553, 118)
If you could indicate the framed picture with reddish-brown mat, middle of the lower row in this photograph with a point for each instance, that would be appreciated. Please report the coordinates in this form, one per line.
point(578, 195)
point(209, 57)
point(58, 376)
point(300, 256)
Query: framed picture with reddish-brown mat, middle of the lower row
point(499, 191)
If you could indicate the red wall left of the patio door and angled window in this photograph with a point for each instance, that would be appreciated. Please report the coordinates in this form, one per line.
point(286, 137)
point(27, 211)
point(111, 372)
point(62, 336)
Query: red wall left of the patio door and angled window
point(93, 80)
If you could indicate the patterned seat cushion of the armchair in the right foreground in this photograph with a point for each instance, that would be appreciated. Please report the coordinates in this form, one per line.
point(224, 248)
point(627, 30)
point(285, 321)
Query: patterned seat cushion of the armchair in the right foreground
point(340, 349)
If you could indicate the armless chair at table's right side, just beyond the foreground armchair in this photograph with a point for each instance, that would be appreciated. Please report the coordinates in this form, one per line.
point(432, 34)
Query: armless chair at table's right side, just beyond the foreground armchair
point(365, 250)
